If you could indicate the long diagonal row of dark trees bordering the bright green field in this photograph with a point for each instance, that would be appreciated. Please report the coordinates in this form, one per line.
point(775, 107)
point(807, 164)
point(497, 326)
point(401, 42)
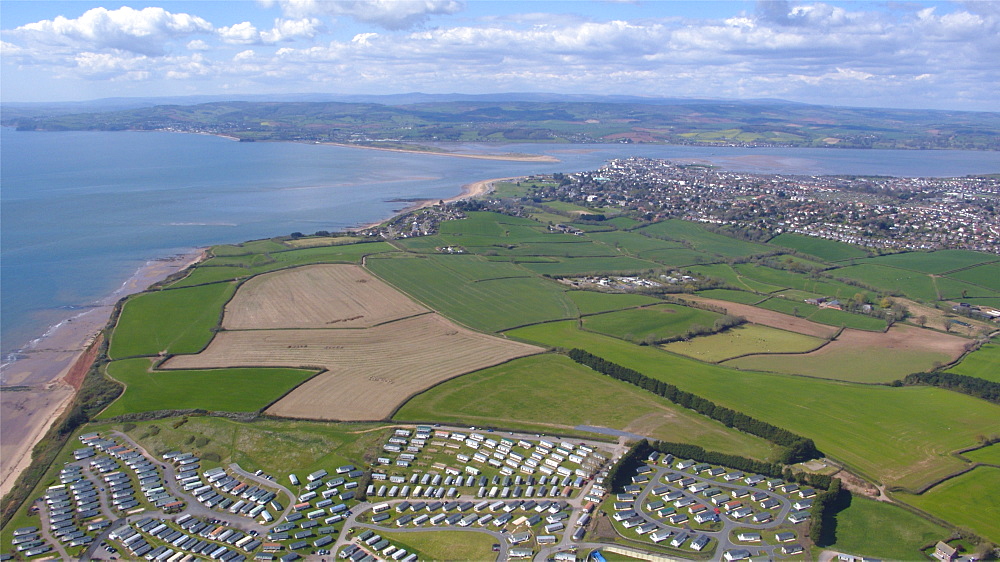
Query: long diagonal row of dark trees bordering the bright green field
point(798, 448)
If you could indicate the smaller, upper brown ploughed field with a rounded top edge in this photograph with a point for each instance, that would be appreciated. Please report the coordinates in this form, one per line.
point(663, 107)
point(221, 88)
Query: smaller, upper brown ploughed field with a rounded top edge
point(317, 296)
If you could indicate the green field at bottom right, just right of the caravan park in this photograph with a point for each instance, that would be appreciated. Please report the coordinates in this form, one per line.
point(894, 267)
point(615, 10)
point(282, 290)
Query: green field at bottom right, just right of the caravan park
point(883, 530)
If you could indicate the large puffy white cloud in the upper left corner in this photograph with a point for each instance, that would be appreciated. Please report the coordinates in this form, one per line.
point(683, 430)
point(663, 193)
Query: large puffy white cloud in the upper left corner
point(137, 31)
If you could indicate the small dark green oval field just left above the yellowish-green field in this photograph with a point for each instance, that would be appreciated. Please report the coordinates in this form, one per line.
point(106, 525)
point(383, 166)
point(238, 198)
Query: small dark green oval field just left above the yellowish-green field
point(659, 322)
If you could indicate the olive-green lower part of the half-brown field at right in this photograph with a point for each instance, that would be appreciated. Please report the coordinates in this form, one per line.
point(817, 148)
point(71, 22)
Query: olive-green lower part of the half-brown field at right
point(870, 365)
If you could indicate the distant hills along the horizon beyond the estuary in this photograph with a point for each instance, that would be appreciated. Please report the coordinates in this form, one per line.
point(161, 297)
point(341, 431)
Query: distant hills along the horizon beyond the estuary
point(522, 117)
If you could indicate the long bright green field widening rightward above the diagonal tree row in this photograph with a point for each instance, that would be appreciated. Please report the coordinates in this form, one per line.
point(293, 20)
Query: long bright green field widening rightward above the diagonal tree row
point(894, 435)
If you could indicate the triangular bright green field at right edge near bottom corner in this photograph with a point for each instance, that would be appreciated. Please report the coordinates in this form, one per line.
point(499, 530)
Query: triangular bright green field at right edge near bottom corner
point(969, 501)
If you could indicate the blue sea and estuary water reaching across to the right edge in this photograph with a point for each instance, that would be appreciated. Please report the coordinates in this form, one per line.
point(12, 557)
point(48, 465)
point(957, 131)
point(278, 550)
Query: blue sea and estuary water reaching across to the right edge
point(82, 212)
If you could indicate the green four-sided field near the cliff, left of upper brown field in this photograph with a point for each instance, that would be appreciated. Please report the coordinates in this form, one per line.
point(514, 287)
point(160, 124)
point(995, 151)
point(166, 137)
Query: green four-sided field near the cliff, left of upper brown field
point(175, 320)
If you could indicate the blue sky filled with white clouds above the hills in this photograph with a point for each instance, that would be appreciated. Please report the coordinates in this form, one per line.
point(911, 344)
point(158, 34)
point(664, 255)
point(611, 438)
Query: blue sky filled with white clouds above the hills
point(912, 54)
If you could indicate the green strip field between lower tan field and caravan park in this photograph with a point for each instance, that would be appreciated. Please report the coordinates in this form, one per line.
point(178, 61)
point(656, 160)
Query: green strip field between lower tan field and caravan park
point(224, 390)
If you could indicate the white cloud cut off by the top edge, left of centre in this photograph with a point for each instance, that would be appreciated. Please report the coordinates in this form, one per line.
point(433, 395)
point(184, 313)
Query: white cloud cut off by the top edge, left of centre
point(390, 14)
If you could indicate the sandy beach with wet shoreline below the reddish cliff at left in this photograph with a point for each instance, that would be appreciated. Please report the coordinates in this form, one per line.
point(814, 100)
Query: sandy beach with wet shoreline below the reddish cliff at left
point(39, 385)
